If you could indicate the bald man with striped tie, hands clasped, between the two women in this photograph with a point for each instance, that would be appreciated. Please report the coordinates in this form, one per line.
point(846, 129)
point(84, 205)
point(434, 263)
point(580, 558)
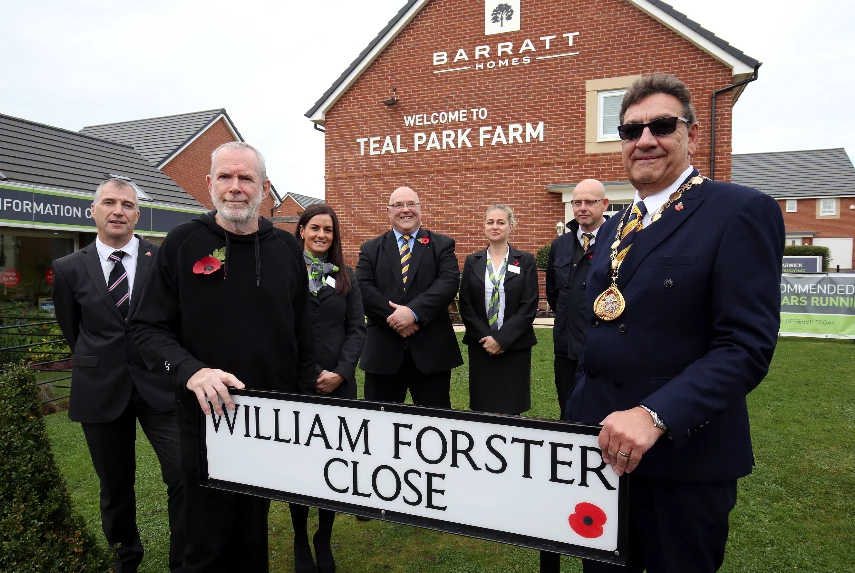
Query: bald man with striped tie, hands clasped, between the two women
point(408, 276)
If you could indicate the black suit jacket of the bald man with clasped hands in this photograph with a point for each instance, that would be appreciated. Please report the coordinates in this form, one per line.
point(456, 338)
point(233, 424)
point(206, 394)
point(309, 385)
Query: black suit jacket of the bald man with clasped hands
point(433, 279)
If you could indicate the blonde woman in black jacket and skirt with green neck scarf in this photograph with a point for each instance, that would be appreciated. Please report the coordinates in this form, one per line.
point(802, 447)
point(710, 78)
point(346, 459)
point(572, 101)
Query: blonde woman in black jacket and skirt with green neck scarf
point(498, 302)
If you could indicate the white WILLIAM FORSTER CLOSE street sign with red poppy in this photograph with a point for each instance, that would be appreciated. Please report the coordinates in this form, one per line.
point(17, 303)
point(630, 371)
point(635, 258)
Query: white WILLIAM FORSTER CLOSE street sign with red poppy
point(534, 483)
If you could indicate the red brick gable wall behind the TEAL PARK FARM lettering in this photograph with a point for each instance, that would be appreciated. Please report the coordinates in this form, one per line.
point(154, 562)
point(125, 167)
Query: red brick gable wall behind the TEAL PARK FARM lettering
point(456, 185)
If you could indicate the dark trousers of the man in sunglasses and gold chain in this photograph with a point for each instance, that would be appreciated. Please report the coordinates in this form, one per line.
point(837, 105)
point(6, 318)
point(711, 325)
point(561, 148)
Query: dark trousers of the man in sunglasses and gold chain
point(675, 526)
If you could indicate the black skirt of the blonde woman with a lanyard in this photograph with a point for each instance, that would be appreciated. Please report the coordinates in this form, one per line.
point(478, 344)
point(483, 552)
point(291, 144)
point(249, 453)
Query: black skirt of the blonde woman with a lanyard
point(499, 384)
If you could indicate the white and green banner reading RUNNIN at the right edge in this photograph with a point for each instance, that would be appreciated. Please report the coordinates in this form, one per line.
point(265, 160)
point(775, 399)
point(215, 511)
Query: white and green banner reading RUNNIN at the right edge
point(820, 305)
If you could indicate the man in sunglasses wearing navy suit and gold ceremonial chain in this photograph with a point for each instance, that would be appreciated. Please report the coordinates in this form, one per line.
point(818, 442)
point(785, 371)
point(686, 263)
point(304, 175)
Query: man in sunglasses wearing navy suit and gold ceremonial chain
point(685, 290)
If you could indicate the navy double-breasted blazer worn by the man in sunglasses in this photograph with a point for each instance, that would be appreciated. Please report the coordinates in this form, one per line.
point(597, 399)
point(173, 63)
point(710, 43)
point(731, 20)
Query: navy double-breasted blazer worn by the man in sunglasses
point(702, 291)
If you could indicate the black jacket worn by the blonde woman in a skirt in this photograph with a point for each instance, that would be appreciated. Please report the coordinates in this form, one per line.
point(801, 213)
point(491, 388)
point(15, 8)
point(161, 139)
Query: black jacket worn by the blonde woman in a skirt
point(521, 296)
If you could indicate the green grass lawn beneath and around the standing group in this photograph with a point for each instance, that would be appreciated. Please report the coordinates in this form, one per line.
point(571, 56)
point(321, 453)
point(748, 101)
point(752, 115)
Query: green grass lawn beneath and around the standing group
point(795, 512)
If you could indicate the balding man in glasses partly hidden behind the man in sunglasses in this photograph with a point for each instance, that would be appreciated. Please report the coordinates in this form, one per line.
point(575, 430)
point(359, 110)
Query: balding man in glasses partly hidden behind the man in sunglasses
point(566, 274)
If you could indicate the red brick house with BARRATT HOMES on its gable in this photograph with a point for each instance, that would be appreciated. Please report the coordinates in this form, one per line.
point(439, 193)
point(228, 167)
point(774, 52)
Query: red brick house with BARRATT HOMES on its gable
point(469, 111)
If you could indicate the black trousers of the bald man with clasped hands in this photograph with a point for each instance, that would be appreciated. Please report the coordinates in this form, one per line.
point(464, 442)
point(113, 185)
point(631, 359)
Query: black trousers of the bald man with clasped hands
point(433, 390)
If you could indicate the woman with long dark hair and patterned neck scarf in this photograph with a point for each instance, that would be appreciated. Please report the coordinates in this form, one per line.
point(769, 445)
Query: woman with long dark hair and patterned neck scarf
point(338, 325)
